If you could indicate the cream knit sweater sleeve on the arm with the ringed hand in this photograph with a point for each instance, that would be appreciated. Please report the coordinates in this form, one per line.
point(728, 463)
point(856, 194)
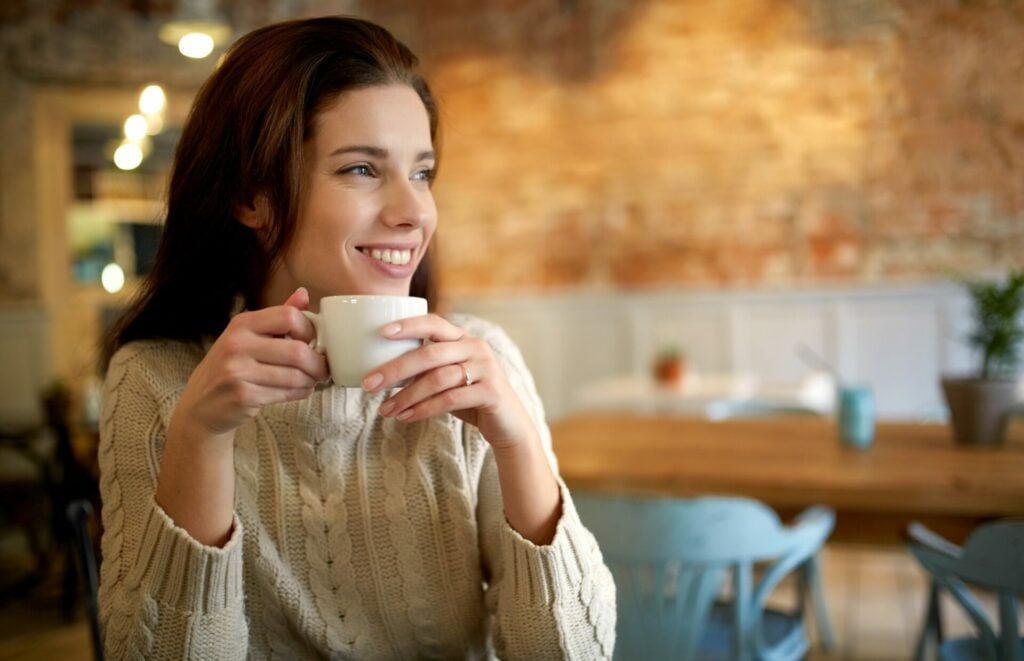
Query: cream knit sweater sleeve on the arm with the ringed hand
point(550, 602)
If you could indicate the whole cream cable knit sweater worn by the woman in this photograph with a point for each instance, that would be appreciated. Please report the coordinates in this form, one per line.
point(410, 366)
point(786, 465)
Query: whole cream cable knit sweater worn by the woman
point(356, 537)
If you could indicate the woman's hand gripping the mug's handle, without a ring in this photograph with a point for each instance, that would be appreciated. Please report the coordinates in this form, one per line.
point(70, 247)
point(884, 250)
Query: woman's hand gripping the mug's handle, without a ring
point(263, 358)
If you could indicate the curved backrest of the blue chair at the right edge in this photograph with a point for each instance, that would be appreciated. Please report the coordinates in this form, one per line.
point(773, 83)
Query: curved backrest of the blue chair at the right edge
point(993, 558)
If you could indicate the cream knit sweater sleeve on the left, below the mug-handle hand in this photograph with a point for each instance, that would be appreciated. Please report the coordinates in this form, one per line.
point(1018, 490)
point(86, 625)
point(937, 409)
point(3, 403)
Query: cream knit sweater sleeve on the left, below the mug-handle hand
point(162, 594)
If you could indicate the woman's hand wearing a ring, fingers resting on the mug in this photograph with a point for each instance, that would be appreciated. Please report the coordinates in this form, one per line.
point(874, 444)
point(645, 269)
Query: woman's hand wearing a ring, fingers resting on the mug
point(453, 373)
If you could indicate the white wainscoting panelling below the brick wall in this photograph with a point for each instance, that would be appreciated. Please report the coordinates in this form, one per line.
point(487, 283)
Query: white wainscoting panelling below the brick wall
point(899, 339)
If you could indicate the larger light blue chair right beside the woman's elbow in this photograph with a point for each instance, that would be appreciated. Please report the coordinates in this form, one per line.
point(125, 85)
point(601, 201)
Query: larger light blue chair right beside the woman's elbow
point(671, 559)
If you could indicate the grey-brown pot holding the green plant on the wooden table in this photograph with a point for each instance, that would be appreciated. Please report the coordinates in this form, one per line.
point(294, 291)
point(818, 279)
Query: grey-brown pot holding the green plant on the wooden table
point(979, 409)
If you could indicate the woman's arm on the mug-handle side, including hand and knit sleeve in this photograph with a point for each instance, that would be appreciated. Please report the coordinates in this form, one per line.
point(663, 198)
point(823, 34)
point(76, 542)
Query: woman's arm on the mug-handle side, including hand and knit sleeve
point(172, 581)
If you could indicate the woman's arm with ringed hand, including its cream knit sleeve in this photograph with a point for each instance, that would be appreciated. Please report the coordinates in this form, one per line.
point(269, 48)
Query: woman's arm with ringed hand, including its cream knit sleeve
point(548, 588)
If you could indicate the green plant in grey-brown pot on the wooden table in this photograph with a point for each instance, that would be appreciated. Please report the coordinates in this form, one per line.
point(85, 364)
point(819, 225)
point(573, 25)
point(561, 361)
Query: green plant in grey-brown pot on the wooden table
point(980, 405)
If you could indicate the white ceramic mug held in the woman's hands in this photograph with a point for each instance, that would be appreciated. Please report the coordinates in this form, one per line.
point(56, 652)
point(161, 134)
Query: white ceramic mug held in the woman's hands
point(349, 332)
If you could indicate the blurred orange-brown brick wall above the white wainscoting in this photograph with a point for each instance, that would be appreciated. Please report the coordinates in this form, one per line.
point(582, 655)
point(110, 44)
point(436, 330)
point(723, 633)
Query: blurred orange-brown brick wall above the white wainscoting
point(652, 144)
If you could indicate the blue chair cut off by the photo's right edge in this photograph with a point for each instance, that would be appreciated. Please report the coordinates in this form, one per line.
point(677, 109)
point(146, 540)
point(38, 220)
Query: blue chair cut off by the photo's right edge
point(993, 559)
